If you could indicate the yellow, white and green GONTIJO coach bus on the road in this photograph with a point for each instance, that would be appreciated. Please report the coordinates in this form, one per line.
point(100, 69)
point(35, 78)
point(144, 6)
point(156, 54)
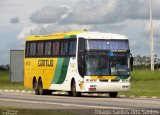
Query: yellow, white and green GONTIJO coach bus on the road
point(77, 62)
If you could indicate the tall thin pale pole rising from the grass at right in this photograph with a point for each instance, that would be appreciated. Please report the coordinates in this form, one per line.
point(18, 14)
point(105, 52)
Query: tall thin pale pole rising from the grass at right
point(151, 38)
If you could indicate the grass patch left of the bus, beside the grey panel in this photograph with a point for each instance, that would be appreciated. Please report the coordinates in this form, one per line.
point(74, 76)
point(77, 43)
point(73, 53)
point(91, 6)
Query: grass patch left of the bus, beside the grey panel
point(6, 84)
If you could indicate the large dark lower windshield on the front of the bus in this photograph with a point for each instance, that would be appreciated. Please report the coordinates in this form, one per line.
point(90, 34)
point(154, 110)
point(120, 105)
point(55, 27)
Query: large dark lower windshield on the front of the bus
point(104, 63)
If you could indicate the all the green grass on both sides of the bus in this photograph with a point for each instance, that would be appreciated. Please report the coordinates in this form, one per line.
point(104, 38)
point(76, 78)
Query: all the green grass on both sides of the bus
point(143, 83)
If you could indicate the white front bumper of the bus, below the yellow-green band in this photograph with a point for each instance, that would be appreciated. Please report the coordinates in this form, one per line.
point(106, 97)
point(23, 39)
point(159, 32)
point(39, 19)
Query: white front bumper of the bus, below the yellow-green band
point(106, 87)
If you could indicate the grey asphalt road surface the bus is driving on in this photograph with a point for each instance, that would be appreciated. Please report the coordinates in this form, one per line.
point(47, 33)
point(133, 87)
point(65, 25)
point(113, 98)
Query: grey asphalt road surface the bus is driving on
point(31, 101)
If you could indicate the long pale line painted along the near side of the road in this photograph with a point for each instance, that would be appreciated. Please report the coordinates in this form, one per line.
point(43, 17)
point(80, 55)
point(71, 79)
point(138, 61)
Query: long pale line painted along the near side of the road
point(62, 104)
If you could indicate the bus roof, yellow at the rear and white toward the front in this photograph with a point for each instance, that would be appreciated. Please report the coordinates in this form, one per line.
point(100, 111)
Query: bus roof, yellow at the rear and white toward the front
point(84, 34)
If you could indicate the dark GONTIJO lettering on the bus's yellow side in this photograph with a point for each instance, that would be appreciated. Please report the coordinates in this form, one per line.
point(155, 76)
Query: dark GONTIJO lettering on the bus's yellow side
point(45, 63)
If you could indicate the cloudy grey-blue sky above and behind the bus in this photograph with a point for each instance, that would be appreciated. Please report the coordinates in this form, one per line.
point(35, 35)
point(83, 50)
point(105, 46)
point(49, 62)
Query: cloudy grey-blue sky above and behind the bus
point(21, 18)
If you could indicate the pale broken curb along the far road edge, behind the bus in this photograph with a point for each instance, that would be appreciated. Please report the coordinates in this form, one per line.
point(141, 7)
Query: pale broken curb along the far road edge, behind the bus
point(86, 94)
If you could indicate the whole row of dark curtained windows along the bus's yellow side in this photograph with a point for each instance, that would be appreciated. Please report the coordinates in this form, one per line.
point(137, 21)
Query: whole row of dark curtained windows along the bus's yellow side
point(52, 48)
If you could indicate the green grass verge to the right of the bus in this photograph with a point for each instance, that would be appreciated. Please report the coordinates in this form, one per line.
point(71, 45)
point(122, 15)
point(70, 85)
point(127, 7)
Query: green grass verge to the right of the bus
point(144, 83)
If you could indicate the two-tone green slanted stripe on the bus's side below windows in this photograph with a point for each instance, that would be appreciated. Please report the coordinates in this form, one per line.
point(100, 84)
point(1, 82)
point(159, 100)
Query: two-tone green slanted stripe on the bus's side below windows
point(61, 70)
